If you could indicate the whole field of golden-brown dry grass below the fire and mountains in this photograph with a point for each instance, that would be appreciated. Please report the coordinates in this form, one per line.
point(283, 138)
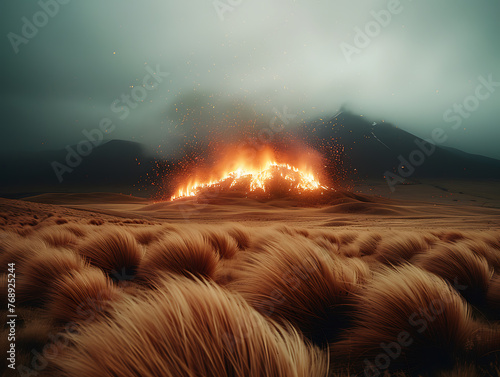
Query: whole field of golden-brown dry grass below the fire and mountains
point(357, 286)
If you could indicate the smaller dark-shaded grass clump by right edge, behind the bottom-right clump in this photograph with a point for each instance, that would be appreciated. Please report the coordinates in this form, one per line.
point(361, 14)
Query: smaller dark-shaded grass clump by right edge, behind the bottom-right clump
point(466, 271)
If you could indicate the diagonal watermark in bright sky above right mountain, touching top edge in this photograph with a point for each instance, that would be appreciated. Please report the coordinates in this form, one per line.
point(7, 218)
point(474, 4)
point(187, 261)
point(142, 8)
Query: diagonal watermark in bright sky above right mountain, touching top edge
point(364, 36)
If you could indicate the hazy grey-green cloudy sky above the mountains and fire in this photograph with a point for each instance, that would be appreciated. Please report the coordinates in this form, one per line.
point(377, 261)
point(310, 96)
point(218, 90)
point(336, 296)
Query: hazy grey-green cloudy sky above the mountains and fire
point(158, 69)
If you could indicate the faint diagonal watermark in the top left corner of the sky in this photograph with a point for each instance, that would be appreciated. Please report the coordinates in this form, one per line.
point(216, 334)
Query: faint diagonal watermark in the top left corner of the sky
point(30, 27)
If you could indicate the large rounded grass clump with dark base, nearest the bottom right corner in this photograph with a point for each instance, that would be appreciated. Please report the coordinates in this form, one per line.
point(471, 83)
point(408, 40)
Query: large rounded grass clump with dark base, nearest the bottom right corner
point(408, 319)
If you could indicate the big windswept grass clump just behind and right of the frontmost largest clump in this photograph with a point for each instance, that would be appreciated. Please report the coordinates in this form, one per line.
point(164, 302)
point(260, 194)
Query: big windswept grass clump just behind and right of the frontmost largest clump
point(296, 281)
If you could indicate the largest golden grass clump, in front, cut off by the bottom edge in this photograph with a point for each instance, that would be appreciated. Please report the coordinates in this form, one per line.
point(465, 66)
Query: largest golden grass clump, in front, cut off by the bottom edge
point(188, 328)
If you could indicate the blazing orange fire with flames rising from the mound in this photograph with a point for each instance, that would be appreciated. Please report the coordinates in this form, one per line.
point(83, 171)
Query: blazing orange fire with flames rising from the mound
point(256, 177)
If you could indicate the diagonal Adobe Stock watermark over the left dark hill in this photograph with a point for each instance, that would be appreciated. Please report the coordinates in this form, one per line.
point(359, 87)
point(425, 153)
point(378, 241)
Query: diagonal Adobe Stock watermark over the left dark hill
point(122, 106)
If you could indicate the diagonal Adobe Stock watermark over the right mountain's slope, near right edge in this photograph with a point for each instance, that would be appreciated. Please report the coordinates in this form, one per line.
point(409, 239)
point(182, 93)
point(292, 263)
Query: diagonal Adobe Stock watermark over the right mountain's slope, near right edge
point(456, 114)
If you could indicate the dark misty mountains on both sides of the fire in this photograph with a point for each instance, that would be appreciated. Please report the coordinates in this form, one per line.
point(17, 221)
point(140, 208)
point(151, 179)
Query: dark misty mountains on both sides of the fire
point(352, 146)
